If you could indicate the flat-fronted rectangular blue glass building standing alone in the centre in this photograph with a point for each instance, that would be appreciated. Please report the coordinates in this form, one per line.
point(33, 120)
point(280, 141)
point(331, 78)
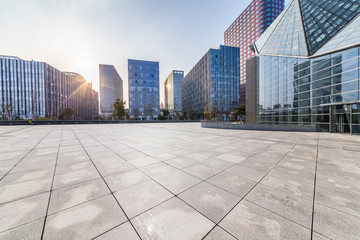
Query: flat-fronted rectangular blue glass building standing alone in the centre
point(144, 96)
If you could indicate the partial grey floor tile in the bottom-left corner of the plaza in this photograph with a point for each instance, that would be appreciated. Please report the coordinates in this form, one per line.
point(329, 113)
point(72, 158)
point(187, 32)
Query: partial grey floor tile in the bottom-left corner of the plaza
point(29, 231)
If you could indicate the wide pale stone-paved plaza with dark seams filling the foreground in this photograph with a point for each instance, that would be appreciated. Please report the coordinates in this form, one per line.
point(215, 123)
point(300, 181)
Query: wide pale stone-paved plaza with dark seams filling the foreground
point(177, 181)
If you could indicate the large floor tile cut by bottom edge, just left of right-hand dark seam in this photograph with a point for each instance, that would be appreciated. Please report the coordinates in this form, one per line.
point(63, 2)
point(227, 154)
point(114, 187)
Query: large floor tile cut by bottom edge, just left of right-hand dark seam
point(248, 221)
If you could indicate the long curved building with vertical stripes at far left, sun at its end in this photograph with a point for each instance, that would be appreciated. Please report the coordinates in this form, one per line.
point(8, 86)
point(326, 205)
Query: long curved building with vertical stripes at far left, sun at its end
point(31, 89)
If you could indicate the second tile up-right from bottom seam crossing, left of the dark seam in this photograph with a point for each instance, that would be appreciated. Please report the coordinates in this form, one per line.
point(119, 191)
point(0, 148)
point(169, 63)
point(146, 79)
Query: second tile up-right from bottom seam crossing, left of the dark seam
point(232, 183)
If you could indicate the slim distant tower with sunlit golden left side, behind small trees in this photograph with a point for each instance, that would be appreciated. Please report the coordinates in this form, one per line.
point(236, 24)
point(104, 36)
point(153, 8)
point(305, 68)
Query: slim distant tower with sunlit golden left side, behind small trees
point(173, 91)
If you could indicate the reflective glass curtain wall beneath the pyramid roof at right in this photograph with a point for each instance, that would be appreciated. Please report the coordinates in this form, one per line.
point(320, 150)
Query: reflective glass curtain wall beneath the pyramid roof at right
point(308, 91)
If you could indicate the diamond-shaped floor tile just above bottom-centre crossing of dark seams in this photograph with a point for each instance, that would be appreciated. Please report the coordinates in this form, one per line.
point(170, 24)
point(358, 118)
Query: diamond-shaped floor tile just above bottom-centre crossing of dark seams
point(211, 201)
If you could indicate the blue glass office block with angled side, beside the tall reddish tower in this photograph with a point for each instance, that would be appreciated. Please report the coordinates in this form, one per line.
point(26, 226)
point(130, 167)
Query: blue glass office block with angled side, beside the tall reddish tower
point(213, 84)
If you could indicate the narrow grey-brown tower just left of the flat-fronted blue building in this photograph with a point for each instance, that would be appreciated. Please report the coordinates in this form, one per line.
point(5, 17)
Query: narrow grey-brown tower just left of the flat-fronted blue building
point(111, 88)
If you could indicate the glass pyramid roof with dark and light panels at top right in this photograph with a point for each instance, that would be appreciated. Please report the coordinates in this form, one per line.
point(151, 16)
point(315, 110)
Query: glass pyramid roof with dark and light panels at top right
point(306, 26)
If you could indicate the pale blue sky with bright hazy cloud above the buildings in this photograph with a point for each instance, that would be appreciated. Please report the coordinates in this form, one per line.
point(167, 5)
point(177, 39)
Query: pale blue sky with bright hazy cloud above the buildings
point(78, 35)
